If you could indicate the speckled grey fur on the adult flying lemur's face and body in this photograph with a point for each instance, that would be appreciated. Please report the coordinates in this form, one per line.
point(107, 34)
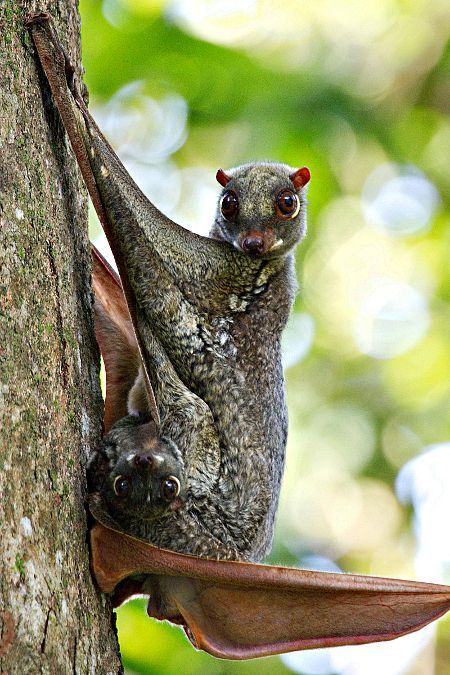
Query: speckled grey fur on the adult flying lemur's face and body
point(211, 318)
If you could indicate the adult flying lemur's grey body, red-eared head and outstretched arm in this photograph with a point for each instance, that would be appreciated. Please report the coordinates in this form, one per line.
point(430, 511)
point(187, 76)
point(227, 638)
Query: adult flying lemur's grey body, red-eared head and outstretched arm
point(208, 315)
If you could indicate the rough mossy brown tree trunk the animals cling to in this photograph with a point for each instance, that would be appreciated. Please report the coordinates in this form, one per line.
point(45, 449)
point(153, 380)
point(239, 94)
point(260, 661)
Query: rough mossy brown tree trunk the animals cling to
point(52, 620)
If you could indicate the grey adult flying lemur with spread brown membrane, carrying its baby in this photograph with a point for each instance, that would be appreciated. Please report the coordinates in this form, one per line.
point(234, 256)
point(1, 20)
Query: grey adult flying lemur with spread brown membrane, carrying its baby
point(231, 609)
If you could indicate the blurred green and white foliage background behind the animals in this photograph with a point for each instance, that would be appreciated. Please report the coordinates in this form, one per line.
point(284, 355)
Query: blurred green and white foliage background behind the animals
point(357, 92)
